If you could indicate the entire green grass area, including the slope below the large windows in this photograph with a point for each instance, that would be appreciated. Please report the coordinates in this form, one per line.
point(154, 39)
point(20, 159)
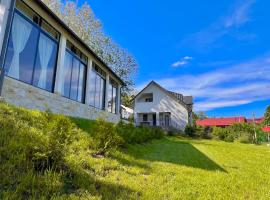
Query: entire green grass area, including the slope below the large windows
point(170, 168)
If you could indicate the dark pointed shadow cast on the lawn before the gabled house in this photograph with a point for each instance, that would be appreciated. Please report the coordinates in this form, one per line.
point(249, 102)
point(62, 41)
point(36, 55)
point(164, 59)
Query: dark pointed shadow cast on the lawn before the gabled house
point(176, 152)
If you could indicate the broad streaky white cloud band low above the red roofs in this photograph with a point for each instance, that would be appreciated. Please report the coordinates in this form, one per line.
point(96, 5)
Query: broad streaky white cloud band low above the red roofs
point(234, 85)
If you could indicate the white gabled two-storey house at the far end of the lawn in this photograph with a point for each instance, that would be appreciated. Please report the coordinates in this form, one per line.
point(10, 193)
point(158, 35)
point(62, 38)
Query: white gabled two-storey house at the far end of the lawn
point(156, 106)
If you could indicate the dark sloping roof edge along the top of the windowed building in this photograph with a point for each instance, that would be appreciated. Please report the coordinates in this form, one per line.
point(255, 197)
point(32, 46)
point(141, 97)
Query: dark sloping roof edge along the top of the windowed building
point(56, 18)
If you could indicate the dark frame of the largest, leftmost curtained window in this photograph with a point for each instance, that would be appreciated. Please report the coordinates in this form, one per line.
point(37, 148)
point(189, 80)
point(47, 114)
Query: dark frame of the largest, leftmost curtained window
point(40, 30)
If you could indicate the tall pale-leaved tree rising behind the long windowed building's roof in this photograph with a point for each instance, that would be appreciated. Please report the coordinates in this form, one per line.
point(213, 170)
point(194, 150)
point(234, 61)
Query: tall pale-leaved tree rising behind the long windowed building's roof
point(84, 23)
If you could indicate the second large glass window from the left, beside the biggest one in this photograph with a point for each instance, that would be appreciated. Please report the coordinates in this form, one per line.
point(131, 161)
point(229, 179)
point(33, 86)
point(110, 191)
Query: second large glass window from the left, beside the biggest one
point(74, 77)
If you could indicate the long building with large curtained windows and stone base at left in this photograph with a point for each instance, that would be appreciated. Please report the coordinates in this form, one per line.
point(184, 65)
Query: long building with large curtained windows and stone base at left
point(45, 65)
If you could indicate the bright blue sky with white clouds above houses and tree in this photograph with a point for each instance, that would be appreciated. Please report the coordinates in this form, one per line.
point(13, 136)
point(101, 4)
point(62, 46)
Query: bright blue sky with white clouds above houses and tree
point(217, 51)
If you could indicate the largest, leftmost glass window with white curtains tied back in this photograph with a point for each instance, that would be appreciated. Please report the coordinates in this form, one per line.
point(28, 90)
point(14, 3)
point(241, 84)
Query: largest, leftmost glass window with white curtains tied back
point(32, 53)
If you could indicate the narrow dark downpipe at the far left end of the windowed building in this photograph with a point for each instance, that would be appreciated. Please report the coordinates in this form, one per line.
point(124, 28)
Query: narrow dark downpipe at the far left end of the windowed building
point(5, 42)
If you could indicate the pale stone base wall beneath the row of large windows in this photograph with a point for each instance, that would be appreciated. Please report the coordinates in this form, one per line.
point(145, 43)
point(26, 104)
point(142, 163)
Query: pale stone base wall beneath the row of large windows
point(28, 96)
